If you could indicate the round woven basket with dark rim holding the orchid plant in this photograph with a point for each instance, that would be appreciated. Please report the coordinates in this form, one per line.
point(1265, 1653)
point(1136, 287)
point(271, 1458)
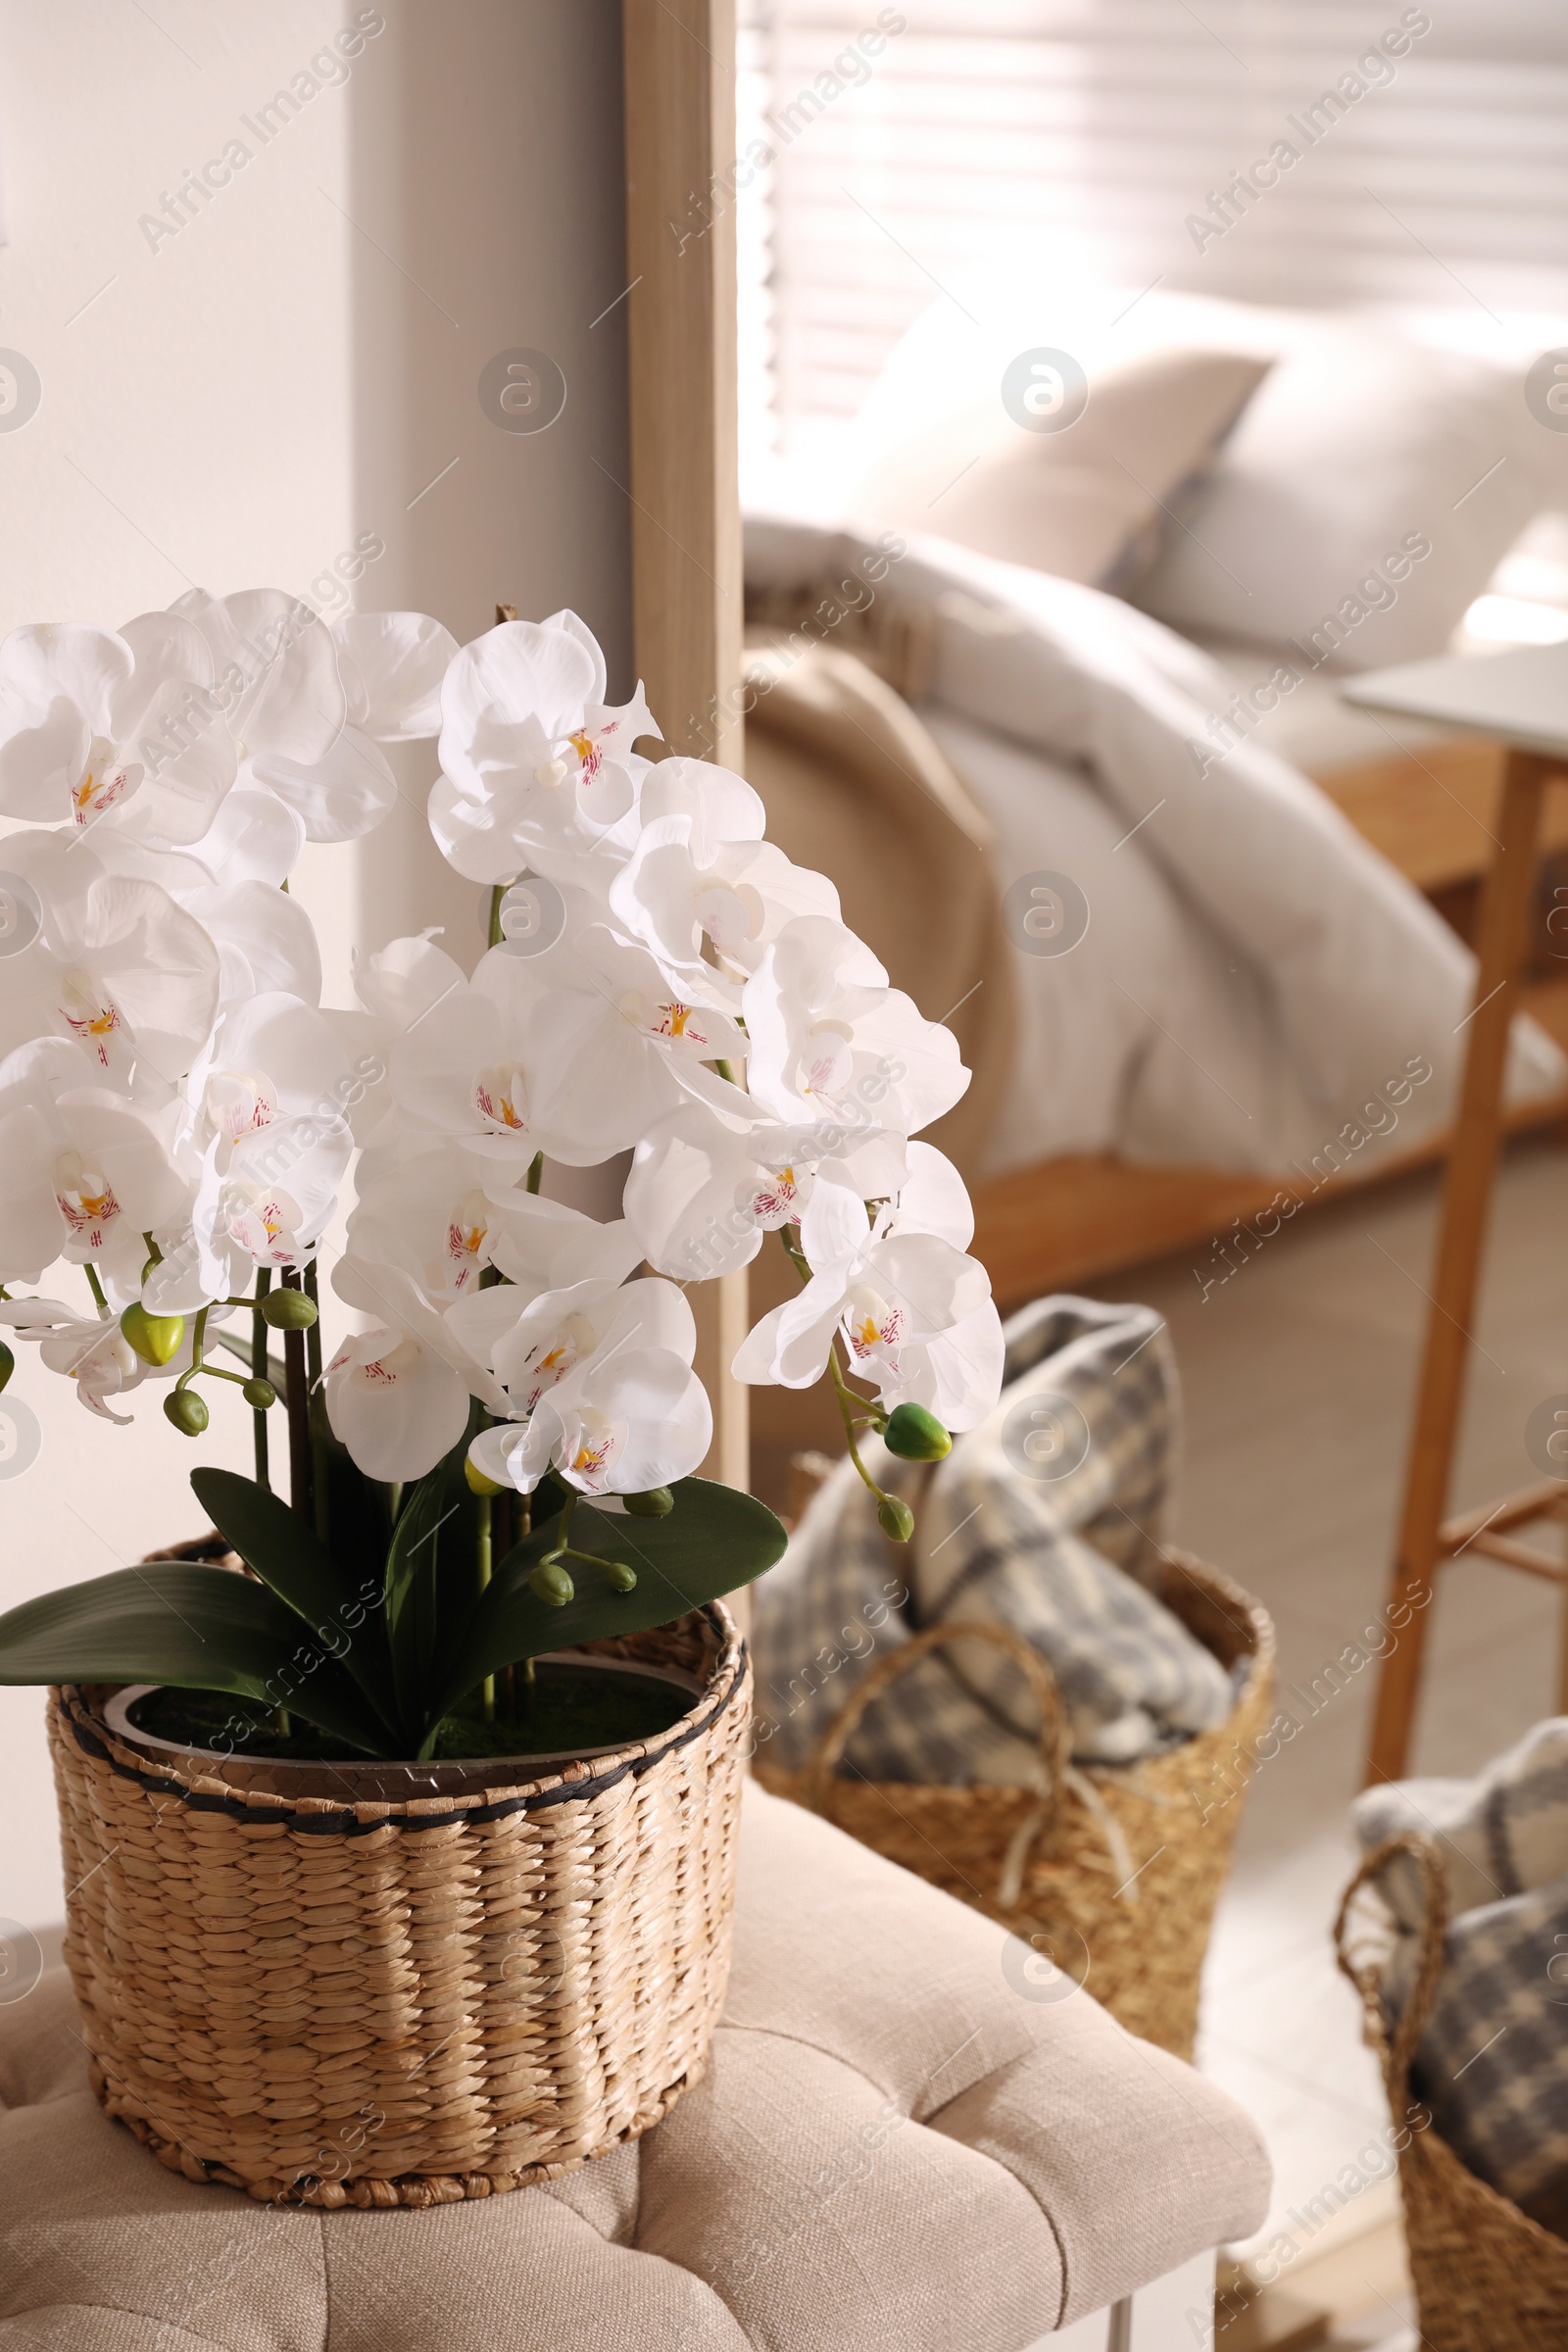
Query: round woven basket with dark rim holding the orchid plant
point(406, 2003)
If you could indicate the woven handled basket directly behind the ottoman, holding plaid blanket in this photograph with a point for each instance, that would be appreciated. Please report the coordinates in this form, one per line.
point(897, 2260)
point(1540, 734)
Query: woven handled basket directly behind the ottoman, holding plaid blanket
point(1115, 1871)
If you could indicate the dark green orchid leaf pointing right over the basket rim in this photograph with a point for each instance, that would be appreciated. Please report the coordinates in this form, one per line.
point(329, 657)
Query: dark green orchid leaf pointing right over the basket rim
point(711, 1542)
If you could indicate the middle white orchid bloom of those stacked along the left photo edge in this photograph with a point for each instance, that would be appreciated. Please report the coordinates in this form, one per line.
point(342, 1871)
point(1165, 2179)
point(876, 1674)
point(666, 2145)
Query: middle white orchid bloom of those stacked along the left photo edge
point(116, 965)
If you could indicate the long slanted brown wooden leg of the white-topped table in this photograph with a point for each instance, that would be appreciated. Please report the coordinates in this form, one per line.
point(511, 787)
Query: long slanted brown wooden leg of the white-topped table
point(1506, 926)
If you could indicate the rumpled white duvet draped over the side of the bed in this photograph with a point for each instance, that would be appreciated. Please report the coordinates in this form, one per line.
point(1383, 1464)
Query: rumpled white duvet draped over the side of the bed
point(1254, 975)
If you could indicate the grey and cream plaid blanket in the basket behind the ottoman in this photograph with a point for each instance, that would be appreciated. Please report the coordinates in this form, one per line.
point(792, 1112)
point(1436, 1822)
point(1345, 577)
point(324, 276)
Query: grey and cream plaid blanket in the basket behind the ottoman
point(1045, 1518)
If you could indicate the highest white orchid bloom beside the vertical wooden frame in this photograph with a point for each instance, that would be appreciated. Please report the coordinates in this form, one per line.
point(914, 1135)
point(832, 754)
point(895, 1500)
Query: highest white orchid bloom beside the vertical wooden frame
point(537, 768)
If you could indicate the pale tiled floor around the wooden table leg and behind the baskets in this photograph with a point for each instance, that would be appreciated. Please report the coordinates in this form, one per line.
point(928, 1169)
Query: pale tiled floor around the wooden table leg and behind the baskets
point(1299, 1382)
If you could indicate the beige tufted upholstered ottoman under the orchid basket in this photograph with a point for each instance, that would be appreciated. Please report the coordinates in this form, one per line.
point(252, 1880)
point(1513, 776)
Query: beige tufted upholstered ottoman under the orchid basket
point(899, 2146)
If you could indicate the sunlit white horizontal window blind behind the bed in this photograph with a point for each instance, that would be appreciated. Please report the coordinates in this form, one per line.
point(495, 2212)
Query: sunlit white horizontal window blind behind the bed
point(1099, 131)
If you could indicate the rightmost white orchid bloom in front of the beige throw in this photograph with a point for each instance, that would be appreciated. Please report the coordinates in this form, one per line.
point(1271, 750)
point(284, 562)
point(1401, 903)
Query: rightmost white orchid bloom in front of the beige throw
point(829, 1038)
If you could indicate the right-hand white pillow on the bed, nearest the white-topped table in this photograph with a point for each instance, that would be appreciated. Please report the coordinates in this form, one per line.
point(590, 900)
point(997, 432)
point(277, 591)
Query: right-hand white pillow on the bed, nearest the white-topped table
point(1358, 509)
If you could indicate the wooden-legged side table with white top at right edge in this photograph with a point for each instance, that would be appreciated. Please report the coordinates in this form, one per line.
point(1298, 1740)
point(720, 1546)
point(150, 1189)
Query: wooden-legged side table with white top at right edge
point(1522, 702)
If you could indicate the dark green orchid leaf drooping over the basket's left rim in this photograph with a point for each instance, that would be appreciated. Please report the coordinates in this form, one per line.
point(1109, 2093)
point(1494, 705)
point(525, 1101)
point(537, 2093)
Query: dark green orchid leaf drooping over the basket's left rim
point(192, 1626)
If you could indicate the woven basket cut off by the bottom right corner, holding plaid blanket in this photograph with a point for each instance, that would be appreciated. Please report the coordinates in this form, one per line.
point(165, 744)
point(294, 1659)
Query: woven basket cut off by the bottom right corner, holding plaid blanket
point(1487, 2276)
